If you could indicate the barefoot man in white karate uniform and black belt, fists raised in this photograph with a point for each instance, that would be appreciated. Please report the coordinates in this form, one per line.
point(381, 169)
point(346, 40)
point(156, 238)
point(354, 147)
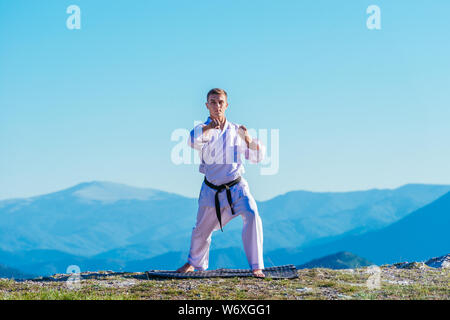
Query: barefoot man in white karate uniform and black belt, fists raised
point(224, 194)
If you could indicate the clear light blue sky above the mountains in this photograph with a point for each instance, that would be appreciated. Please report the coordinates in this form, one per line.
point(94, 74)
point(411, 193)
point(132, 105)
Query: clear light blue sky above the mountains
point(356, 109)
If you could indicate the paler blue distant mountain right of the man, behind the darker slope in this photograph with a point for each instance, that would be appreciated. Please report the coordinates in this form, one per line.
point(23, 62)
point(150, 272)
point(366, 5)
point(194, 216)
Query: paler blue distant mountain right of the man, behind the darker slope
point(300, 218)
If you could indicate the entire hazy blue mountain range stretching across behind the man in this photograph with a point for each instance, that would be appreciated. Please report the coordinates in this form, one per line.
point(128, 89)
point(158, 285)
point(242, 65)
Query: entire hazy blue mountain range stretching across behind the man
point(105, 225)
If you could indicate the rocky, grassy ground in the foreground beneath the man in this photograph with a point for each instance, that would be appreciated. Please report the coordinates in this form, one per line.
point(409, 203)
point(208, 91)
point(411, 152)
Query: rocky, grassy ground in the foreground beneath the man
point(399, 281)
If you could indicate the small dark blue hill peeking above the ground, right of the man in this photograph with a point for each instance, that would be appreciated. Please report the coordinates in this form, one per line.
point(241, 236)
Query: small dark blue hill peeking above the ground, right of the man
point(340, 260)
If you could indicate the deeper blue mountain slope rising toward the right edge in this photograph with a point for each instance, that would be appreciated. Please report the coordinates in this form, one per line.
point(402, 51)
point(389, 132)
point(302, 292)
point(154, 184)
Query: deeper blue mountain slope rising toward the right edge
point(421, 234)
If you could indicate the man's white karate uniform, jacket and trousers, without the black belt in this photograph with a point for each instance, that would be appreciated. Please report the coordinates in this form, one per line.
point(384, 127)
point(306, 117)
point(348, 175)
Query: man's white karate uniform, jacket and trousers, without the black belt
point(220, 152)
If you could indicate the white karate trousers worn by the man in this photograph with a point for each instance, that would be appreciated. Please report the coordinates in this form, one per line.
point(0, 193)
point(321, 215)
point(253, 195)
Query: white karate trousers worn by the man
point(244, 205)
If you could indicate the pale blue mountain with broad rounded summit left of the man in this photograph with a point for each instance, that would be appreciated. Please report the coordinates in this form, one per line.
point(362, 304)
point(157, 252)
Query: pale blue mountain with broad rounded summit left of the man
point(94, 217)
